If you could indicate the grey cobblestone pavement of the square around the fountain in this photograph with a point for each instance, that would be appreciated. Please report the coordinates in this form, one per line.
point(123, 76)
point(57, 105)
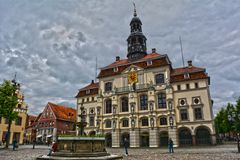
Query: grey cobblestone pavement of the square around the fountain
point(221, 152)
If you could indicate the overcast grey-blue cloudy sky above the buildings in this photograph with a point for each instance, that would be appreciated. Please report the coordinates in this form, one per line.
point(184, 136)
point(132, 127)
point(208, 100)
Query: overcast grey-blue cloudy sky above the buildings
point(53, 45)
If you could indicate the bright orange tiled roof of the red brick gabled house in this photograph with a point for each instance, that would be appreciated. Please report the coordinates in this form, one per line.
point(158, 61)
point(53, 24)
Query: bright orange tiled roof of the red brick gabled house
point(63, 112)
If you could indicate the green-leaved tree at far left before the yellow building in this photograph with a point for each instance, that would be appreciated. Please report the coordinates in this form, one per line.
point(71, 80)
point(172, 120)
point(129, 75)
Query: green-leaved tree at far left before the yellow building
point(8, 102)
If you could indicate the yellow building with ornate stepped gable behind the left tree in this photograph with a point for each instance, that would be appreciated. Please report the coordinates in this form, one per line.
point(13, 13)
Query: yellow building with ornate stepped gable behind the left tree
point(18, 126)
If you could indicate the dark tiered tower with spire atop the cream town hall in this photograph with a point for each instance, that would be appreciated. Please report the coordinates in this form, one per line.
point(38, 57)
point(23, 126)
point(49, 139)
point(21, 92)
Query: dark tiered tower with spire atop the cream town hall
point(137, 48)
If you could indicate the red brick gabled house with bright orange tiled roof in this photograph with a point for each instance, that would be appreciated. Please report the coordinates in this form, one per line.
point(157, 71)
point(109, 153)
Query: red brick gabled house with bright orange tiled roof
point(53, 121)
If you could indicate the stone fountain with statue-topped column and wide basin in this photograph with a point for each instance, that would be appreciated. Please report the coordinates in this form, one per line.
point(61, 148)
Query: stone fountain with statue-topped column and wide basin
point(80, 147)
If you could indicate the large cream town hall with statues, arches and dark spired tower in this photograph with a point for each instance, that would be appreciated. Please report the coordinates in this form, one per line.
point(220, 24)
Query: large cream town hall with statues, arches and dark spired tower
point(146, 100)
